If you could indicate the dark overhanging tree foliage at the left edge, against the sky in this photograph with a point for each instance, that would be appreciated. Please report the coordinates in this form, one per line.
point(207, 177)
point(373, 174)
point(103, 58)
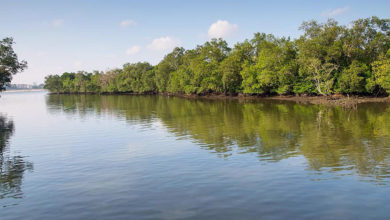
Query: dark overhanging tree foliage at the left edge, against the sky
point(9, 63)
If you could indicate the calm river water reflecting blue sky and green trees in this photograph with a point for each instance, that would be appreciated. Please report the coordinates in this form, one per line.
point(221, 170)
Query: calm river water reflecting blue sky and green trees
point(150, 157)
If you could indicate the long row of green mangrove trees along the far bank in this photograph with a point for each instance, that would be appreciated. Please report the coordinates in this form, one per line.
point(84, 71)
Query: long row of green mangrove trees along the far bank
point(328, 58)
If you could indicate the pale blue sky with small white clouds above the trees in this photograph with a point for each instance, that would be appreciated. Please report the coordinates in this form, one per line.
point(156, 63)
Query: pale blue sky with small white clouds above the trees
point(64, 36)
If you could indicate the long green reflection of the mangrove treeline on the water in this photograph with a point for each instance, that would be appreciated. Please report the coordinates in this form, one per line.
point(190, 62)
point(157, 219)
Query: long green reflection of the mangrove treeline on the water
point(330, 139)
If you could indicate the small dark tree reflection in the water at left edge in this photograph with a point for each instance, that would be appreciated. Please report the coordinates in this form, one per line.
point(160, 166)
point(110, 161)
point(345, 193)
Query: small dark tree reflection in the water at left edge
point(12, 168)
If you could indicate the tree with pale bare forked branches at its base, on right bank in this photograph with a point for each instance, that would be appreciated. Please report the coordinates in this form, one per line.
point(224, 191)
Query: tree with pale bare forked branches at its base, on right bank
point(320, 54)
